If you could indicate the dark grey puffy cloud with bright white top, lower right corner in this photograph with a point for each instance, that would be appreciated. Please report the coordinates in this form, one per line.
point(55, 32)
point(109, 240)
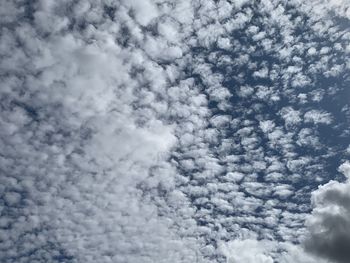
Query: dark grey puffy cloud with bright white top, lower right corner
point(329, 223)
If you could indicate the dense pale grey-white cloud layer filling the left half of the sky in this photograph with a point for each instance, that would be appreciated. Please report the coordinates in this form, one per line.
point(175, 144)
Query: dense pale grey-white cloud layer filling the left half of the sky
point(85, 141)
